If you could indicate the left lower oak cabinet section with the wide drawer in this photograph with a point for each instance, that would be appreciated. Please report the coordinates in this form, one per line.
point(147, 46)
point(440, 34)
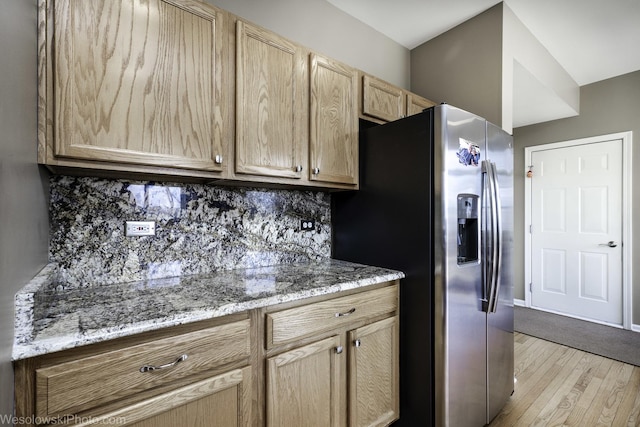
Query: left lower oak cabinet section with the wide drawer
point(190, 375)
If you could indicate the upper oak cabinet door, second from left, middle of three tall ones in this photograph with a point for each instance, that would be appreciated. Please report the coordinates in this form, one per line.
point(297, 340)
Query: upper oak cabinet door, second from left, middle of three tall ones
point(270, 112)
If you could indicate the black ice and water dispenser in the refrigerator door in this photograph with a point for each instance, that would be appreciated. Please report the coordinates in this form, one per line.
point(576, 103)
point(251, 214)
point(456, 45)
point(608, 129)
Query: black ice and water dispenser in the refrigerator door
point(468, 235)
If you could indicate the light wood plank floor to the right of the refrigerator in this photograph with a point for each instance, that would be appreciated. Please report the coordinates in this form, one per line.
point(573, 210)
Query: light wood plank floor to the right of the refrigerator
point(561, 386)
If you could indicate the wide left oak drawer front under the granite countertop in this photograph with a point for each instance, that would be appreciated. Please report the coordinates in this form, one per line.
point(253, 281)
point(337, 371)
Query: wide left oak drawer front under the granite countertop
point(81, 384)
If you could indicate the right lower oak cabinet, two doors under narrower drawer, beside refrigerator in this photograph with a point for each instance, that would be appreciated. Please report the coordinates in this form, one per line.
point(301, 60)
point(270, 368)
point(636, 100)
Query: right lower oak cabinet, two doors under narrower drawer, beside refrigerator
point(350, 378)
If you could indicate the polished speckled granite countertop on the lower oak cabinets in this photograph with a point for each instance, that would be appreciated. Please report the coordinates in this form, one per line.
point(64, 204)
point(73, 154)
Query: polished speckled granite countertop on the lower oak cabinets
point(51, 317)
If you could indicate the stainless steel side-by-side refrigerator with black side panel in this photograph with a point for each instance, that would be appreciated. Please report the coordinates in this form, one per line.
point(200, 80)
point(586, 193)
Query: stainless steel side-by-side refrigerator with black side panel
point(436, 201)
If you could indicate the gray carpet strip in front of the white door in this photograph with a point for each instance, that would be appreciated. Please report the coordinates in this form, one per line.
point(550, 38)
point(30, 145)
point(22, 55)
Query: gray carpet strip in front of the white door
point(607, 341)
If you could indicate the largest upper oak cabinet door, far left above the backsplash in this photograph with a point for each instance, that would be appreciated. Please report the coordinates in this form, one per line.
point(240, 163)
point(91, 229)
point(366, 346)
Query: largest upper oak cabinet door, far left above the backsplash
point(138, 82)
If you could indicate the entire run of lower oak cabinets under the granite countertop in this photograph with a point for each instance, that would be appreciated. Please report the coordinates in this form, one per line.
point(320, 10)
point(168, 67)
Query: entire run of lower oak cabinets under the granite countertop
point(329, 361)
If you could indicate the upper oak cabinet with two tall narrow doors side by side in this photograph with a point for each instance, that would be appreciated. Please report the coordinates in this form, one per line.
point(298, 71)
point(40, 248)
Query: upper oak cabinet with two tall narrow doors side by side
point(296, 113)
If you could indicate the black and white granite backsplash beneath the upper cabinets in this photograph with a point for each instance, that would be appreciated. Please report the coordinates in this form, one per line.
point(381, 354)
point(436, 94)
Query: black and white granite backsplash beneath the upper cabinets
point(199, 229)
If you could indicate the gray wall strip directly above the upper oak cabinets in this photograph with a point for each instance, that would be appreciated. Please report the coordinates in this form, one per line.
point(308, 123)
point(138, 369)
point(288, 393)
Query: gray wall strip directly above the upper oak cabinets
point(320, 26)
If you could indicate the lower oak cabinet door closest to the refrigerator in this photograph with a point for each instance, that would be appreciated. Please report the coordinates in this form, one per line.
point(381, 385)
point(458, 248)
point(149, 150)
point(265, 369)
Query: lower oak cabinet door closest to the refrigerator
point(374, 374)
